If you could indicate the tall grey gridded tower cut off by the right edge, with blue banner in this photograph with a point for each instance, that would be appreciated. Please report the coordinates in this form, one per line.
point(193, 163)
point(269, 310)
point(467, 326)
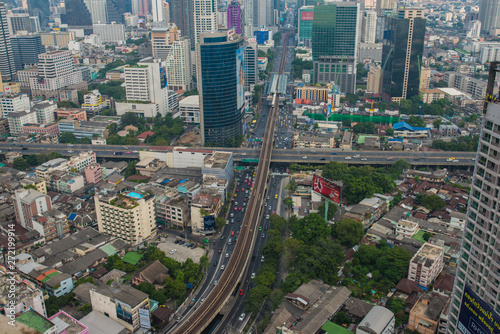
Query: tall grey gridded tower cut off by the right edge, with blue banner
point(478, 268)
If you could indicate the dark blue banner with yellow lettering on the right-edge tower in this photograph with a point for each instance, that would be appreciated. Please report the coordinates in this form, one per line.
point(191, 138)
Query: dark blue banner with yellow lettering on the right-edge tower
point(476, 316)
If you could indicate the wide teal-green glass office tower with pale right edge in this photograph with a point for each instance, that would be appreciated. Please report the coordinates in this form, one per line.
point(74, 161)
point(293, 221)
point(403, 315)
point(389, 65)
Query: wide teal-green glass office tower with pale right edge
point(334, 44)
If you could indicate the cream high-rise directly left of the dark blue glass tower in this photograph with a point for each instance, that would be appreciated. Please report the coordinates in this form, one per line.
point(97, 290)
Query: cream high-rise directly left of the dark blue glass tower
point(178, 65)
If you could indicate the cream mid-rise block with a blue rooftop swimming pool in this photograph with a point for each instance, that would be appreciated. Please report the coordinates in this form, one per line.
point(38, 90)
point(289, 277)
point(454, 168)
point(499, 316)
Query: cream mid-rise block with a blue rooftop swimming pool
point(129, 216)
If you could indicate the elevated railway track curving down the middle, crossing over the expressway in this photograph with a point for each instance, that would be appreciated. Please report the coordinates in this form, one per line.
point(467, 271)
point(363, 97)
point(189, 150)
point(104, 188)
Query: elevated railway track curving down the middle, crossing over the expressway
point(238, 262)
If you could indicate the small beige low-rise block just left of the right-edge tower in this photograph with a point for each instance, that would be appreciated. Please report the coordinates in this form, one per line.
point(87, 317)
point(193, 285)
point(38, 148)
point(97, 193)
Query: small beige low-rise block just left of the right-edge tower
point(426, 264)
